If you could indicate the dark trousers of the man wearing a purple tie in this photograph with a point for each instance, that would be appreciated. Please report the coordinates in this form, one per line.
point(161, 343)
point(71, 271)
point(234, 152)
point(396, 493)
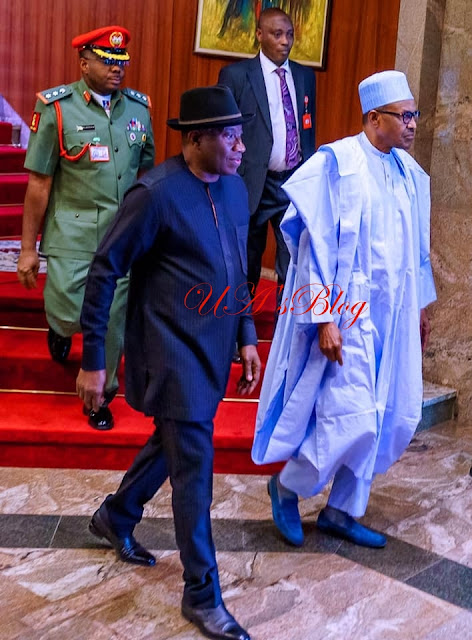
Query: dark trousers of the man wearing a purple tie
point(272, 207)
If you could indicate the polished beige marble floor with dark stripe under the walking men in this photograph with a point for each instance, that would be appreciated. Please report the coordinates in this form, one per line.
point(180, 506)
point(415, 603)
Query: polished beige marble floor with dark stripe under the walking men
point(58, 582)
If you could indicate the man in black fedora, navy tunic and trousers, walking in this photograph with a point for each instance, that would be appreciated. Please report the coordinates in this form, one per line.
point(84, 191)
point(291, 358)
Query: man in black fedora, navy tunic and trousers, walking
point(182, 230)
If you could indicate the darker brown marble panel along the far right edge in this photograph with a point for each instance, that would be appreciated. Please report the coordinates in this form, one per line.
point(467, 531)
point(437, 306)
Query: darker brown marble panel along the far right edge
point(450, 355)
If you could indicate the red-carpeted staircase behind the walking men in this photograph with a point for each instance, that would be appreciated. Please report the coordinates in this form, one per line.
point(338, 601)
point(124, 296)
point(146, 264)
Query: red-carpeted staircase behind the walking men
point(41, 421)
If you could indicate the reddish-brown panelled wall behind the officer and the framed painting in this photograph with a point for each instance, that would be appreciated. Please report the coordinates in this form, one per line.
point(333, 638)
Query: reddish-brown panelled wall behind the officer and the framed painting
point(35, 54)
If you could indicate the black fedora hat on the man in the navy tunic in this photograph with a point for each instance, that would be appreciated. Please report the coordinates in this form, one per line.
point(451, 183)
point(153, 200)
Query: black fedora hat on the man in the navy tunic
point(206, 107)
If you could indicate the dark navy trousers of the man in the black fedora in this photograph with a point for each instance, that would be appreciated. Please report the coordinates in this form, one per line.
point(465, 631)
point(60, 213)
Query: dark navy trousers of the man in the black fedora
point(184, 452)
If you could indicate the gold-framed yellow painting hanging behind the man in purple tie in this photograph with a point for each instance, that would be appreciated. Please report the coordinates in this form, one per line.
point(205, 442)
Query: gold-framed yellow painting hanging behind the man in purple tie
point(228, 28)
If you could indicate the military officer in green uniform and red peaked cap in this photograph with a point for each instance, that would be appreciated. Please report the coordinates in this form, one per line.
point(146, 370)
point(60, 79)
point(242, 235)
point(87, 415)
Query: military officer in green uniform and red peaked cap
point(89, 142)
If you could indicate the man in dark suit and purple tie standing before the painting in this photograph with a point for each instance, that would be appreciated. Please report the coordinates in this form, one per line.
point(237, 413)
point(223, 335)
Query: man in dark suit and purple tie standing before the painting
point(258, 88)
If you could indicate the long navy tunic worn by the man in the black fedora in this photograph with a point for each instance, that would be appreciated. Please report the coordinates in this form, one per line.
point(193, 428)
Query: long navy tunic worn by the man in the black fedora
point(178, 347)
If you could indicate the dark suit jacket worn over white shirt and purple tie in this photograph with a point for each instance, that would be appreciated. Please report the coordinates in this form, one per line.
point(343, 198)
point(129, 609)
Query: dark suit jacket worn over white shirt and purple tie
point(246, 81)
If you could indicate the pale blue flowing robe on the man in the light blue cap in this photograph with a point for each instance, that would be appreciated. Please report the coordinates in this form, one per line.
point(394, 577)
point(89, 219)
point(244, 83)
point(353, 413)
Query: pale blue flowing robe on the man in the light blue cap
point(363, 414)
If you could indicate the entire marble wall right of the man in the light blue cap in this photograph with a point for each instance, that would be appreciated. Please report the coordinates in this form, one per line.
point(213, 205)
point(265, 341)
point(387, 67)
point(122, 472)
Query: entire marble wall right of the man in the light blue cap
point(441, 62)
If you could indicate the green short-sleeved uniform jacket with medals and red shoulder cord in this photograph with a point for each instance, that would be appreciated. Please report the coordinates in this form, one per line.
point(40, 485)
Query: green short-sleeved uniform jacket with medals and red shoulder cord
point(85, 195)
